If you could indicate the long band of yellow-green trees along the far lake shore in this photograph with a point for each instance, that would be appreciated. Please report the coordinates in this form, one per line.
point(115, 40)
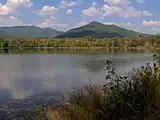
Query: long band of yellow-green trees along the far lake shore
point(149, 43)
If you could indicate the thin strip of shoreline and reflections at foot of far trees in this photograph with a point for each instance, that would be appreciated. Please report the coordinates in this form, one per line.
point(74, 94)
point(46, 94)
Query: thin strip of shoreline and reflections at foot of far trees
point(78, 50)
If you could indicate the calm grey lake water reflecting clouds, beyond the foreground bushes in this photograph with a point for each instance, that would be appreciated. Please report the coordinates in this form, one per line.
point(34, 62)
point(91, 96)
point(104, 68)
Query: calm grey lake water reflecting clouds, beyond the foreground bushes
point(24, 75)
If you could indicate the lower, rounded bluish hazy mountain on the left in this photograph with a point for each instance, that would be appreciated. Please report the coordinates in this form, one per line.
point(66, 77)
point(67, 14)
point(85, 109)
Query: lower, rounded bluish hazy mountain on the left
point(30, 31)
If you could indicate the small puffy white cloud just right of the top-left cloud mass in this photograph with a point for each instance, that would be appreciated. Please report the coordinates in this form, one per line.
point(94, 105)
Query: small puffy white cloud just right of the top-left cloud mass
point(47, 10)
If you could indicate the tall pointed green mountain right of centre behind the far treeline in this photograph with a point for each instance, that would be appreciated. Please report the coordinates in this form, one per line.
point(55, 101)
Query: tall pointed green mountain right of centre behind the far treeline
point(99, 30)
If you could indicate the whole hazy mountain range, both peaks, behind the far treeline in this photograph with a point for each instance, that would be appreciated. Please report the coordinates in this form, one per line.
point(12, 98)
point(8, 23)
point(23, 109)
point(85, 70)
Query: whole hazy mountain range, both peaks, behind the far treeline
point(93, 29)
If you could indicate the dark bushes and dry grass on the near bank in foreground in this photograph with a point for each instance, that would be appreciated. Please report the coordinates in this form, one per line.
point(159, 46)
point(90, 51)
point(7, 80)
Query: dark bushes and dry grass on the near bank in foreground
point(133, 97)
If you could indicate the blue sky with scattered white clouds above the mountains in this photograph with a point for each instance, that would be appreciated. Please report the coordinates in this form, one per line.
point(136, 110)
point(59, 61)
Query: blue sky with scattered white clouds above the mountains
point(138, 15)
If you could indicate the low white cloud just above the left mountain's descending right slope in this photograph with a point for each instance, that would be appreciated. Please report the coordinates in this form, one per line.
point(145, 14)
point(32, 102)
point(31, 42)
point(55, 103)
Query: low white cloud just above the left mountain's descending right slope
point(51, 22)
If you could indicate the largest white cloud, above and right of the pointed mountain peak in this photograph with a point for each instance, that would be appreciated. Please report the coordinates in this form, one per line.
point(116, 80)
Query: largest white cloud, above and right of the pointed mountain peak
point(122, 8)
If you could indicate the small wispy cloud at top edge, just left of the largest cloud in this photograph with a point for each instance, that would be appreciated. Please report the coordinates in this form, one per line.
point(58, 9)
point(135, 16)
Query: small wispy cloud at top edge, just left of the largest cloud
point(69, 3)
